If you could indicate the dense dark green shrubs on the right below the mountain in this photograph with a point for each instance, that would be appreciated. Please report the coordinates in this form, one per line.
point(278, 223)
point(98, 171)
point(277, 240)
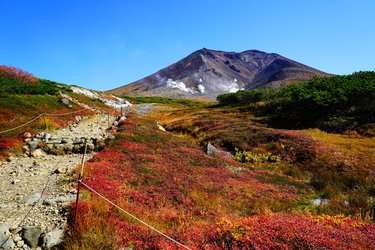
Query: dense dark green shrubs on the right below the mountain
point(334, 104)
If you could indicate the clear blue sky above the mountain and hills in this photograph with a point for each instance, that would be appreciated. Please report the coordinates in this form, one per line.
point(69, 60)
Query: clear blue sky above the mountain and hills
point(108, 43)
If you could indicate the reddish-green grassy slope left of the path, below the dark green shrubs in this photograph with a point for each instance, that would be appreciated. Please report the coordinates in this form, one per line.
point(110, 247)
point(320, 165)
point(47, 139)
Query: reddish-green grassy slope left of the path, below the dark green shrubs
point(19, 109)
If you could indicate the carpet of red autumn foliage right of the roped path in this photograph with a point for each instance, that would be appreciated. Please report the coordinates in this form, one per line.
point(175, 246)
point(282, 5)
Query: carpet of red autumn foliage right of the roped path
point(183, 192)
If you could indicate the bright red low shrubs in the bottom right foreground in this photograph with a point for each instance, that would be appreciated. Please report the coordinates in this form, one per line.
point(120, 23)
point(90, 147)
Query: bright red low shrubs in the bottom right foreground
point(282, 231)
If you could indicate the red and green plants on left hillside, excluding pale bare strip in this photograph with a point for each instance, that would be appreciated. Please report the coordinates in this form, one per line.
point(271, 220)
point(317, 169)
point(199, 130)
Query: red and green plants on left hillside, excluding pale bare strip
point(22, 98)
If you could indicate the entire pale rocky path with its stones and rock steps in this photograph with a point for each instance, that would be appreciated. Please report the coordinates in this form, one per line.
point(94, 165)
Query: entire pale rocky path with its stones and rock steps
point(39, 187)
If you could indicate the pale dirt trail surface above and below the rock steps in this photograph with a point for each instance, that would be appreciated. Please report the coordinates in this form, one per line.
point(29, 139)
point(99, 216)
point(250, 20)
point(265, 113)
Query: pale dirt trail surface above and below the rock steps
point(23, 179)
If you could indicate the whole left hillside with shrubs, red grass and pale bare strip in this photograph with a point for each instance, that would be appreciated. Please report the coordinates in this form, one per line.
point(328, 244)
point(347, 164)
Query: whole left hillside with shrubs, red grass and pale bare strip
point(24, 97)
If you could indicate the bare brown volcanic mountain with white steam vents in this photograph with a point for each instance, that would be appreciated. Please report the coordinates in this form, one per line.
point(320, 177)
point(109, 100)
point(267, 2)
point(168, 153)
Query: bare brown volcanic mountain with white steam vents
point(209, 73)
